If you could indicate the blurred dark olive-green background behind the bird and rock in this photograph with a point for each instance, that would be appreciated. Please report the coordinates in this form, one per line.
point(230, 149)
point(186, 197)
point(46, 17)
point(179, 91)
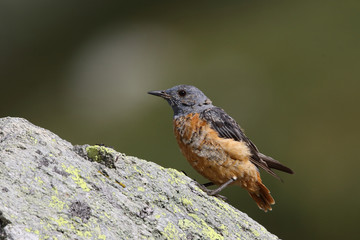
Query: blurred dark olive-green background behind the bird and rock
point(287, 71)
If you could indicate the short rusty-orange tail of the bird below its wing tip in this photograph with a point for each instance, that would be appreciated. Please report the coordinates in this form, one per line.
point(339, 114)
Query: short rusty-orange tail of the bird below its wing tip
point(262, 196)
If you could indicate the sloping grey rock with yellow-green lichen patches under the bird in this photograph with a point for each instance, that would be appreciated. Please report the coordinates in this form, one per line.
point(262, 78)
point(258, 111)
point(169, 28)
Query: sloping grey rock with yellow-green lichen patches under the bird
point(50, 189)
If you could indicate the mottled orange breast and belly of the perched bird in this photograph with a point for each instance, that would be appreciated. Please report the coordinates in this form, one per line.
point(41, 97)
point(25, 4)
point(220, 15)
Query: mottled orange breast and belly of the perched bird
point(215, 158)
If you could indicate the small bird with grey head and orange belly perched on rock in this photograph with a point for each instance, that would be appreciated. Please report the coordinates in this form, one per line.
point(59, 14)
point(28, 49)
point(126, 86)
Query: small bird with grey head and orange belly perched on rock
point(215, 145)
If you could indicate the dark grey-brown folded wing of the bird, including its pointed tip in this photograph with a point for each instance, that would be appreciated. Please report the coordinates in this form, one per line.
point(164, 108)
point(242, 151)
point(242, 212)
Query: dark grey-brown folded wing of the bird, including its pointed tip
point(227, 127)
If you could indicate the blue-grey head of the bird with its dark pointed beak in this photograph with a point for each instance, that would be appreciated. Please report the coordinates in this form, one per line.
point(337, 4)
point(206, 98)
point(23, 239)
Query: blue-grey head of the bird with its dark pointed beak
point(184, 99)
